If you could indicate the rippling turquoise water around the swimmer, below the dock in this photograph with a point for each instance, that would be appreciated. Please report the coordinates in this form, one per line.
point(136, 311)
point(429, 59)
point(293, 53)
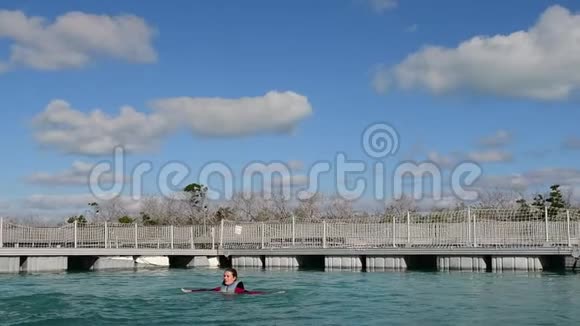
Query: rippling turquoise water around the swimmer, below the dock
point(153, 297)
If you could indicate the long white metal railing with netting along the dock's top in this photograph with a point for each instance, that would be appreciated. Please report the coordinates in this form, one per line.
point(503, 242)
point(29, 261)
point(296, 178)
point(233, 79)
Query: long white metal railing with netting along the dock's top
point(460, 228)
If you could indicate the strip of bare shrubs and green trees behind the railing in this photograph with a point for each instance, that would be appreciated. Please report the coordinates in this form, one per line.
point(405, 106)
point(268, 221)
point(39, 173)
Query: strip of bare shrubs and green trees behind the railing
point(191, 207)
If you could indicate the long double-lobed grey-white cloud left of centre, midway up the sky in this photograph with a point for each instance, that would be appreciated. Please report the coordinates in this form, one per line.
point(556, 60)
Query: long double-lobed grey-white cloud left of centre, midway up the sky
point(72, 131)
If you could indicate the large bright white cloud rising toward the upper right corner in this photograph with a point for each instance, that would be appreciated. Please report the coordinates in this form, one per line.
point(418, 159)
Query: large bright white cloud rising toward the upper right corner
point(539, 63)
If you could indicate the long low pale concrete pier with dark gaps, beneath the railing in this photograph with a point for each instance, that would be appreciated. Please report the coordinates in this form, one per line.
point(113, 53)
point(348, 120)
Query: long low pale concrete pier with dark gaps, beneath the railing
point(13, 260)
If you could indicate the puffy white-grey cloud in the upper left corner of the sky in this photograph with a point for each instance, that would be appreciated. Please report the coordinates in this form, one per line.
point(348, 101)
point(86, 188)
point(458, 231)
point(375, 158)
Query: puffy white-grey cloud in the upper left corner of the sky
point(74, 39)
